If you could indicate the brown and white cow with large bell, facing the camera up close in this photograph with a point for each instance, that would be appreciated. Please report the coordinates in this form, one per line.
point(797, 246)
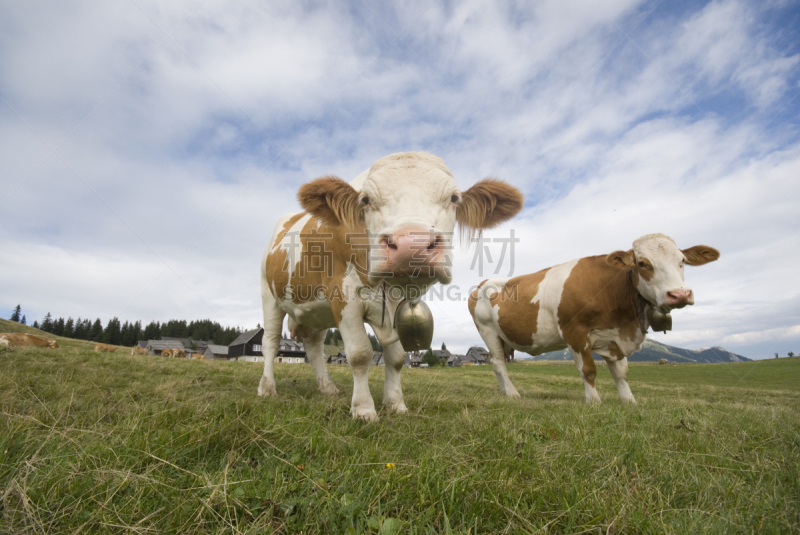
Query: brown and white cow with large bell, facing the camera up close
point(390, 228)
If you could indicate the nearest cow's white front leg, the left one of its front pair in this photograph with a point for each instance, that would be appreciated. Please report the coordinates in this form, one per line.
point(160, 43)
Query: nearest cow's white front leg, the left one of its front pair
point(359, 355)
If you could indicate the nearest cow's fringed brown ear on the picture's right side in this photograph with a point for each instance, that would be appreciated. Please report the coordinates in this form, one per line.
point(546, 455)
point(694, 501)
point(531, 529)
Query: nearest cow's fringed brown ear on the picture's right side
point(487, 204)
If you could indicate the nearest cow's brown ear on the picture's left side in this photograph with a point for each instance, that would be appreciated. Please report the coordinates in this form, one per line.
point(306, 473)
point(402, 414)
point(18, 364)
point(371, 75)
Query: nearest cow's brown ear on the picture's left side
point(332, 200)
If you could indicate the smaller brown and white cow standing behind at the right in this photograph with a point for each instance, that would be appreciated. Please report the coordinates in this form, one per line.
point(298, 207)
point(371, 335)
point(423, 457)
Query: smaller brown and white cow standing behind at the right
point(595, 304)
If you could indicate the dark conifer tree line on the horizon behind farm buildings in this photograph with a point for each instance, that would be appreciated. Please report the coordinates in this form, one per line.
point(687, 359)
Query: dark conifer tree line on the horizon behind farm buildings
point(129, 333)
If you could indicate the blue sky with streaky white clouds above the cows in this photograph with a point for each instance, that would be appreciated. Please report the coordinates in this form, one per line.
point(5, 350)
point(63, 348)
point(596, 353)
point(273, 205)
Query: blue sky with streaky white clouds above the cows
point(147, 149)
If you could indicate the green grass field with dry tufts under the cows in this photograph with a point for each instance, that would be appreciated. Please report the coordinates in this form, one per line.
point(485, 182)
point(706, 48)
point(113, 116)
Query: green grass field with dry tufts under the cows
point(113, 443)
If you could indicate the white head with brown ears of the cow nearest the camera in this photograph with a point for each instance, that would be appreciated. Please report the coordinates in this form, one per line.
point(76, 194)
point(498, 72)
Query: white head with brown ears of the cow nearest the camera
point(409, 204)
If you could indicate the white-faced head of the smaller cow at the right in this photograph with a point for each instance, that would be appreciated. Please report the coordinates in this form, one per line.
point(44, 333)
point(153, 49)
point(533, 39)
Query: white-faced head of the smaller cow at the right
point(656, 264)
